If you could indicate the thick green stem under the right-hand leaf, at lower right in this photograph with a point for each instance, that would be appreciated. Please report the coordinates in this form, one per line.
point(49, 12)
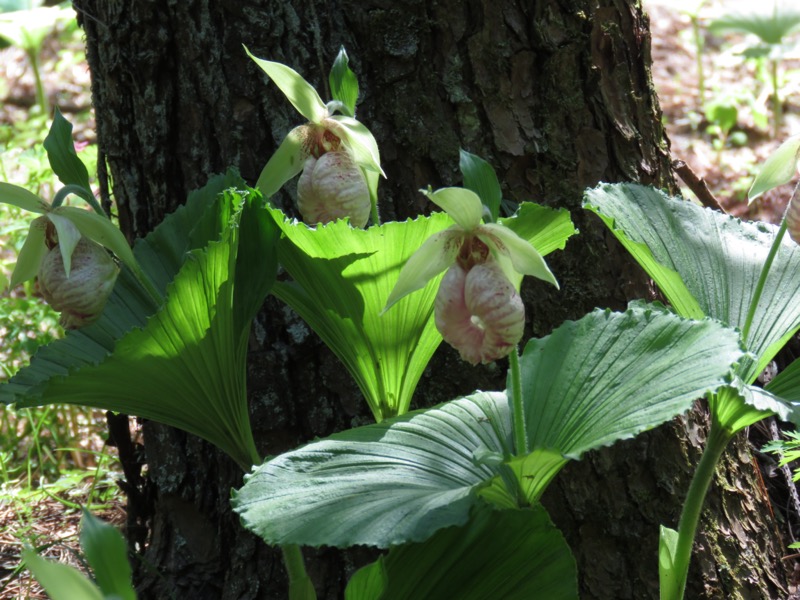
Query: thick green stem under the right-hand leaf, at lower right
point(718, 439)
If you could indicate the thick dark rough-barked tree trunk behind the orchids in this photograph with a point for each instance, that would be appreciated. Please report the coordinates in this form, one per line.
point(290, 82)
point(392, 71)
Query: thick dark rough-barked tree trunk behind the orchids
point(557, 96)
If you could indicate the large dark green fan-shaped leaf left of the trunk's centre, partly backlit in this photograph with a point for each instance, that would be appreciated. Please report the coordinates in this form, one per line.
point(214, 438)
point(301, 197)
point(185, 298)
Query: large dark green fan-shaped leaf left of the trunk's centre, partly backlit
point(184, 366)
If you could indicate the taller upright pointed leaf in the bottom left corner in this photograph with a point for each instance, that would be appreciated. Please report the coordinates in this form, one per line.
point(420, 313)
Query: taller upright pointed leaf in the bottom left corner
point(107, 554)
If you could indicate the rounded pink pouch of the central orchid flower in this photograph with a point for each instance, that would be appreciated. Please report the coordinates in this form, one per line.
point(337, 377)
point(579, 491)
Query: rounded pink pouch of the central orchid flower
point(479, 312)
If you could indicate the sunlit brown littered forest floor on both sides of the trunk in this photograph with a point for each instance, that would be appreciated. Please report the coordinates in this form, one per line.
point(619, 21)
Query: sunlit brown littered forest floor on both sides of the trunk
point(726, 160)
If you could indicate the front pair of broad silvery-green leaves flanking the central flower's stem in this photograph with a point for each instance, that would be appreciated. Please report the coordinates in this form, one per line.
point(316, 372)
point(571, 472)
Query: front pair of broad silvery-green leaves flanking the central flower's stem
point(591, 382)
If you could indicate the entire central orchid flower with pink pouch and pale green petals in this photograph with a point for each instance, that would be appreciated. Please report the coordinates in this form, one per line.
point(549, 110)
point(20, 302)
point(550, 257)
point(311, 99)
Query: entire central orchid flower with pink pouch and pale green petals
point(478, 310)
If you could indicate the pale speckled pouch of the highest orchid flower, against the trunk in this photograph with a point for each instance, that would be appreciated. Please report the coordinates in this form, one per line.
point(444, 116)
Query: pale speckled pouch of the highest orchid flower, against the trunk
point(333, 187)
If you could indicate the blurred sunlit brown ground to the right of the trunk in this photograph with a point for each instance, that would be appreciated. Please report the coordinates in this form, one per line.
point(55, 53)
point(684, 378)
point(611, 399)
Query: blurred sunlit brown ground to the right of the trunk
point(729, 172)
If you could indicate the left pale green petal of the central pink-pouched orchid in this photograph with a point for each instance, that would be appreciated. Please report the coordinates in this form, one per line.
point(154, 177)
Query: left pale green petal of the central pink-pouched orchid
point(437, 253)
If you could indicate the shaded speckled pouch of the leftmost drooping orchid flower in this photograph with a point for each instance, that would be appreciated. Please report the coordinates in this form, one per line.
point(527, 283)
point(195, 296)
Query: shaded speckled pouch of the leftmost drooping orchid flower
point(79, 298)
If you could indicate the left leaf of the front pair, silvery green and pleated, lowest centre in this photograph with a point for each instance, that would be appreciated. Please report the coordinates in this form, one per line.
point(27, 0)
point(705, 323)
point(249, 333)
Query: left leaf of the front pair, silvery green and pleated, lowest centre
point(381, 484)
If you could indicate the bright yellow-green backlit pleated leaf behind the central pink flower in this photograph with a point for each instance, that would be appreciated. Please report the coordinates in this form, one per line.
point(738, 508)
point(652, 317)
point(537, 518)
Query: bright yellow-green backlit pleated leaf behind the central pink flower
point(343, 277)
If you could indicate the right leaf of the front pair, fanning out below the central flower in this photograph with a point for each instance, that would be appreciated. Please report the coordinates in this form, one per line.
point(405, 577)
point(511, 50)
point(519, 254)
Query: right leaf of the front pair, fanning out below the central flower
point(610, 376)
